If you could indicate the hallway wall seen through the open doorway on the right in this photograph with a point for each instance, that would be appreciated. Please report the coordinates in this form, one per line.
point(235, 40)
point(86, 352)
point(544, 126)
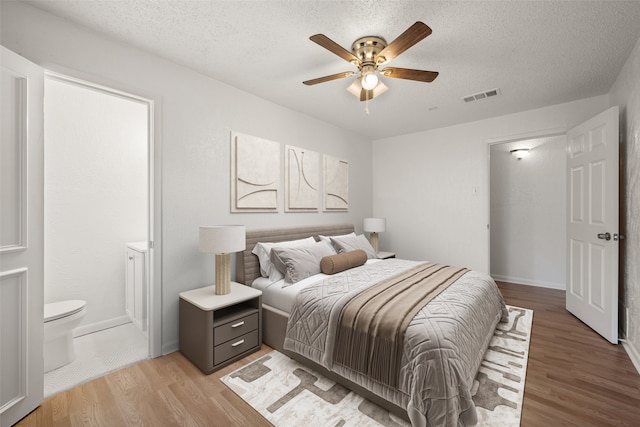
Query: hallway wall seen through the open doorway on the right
point(528, 213)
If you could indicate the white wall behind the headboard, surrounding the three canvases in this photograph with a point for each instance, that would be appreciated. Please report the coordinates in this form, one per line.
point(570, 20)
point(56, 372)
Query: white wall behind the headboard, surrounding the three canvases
point(194, 118)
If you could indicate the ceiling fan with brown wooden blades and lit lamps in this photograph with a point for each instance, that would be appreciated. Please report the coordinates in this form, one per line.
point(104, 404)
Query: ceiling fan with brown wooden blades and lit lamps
point(368, 54)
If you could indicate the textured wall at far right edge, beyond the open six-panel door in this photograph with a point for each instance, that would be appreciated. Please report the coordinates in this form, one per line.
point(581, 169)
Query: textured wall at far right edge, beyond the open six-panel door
point(626, 94)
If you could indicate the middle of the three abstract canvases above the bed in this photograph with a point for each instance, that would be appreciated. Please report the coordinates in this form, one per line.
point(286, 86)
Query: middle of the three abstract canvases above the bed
point(302, 179)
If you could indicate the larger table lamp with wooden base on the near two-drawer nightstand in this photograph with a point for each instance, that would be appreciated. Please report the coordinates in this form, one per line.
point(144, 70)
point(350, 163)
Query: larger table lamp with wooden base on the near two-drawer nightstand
point(222, 240)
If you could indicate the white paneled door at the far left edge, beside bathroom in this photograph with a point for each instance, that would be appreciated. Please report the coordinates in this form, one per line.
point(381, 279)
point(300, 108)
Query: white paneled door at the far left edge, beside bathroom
point(21, 237)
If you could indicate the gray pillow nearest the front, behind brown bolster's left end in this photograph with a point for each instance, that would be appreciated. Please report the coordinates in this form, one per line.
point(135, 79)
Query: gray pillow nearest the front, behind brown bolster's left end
point(300, 262)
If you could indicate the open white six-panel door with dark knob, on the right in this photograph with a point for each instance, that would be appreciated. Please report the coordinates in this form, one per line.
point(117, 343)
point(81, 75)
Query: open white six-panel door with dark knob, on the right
point(592, 223)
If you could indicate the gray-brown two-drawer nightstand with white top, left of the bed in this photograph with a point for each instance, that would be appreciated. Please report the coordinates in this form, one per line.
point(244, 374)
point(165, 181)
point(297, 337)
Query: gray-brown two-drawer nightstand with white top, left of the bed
point(216, 330)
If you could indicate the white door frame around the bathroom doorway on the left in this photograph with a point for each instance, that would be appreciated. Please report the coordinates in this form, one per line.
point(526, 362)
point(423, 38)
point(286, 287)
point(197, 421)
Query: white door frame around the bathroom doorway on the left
point(154, 190)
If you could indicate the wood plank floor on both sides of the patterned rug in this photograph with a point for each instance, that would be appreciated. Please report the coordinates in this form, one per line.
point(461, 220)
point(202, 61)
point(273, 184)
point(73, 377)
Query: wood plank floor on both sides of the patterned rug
point(574, 378)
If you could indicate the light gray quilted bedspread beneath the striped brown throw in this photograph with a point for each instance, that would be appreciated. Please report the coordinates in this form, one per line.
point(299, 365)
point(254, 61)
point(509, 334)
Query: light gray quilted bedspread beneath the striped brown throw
point(442, 349)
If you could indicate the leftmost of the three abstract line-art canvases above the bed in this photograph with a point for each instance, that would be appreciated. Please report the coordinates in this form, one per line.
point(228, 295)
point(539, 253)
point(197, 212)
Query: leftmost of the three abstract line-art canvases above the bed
point(255, 174)
